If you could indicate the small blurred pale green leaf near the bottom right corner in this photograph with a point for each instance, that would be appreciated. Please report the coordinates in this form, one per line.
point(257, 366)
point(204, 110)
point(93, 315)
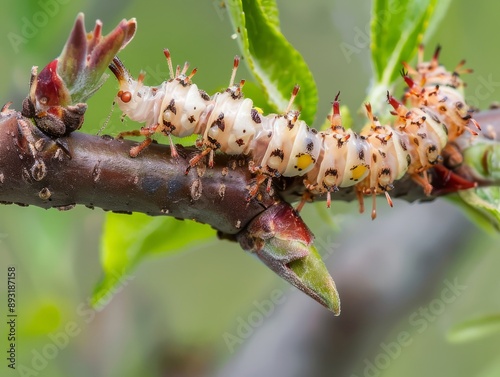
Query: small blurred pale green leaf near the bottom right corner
point(475, 329)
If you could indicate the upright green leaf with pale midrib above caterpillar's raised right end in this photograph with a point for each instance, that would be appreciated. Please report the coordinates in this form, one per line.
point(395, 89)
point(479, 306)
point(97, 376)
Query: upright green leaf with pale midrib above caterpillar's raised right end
point(398, 27)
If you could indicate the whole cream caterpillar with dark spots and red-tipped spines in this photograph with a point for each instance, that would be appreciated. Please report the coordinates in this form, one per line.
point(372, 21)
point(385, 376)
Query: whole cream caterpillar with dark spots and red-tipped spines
point(432, 113)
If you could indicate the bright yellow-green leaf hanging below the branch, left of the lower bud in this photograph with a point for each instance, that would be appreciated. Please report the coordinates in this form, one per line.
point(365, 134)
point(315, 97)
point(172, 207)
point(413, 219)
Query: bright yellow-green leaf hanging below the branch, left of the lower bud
point(129, 239)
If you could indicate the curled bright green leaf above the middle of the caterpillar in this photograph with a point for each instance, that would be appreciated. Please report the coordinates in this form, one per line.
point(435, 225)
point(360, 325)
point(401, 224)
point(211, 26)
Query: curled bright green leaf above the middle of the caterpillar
point(274, 62)
